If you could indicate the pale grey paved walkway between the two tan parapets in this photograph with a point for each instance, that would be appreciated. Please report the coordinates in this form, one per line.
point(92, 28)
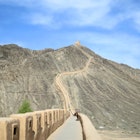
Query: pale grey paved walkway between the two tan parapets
point(70, 130)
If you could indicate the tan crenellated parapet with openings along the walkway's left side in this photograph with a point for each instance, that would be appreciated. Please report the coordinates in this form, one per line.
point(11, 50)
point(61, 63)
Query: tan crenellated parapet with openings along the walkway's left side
point(36, 125)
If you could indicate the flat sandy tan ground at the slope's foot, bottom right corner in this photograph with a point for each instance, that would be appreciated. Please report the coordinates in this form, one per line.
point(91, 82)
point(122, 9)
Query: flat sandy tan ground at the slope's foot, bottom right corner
point(118, 135)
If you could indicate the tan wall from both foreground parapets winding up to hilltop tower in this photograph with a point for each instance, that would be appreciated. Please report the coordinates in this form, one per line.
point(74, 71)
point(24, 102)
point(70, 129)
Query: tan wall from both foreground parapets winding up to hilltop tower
point(39, 125)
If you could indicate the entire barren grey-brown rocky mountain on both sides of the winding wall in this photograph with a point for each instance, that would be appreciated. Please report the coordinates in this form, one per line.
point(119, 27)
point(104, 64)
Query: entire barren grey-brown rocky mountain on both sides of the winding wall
point(108, 92)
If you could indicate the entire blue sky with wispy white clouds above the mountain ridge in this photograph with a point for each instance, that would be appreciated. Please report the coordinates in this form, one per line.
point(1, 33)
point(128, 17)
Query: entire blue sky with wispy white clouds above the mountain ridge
point(110, 28)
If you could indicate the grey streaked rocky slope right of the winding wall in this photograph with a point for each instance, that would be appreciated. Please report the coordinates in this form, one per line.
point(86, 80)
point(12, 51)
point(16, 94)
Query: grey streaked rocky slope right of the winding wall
point(108, 92)
